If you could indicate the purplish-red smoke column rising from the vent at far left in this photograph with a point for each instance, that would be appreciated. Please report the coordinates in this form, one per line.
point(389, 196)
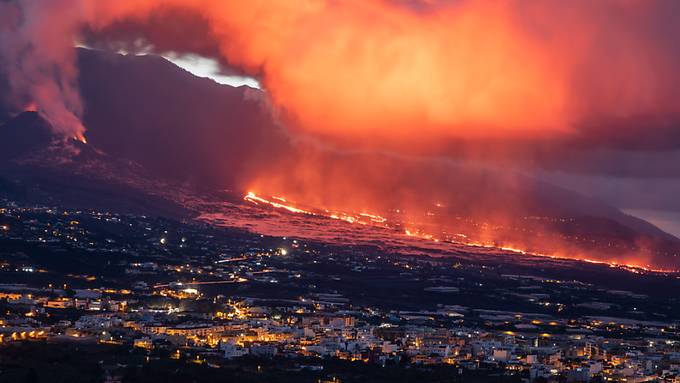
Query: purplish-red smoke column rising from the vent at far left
point(37, 61)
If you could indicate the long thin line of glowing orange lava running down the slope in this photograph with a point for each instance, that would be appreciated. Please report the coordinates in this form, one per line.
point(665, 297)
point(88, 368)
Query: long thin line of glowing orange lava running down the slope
point(378, 221)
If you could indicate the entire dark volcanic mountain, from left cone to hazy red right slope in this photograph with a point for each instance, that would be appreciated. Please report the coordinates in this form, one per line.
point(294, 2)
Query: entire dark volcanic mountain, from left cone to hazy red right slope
point(151, 123)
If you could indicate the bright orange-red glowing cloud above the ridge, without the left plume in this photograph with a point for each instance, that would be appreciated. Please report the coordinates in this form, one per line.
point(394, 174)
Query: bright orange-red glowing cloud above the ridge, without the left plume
point(468, 68)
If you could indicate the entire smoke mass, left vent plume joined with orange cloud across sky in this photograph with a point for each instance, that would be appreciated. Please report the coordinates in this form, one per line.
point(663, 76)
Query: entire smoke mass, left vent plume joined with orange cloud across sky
point(385, 68)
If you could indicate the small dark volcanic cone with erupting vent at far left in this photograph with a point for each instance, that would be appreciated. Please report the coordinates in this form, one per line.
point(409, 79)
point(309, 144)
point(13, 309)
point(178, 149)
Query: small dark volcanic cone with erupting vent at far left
point(38, 167)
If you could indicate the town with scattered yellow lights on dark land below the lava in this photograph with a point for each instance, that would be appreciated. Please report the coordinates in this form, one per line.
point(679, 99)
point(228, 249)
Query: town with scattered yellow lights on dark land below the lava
point(190, 293)
